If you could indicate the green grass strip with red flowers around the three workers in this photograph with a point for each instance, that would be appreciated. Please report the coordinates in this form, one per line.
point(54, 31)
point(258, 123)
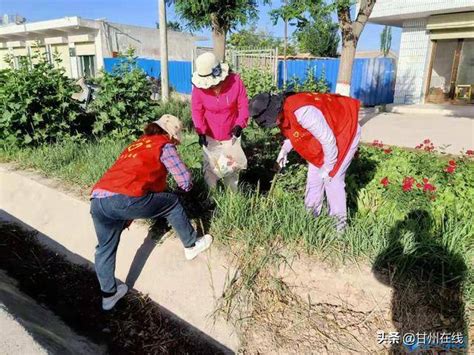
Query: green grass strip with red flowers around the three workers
point(418, 237)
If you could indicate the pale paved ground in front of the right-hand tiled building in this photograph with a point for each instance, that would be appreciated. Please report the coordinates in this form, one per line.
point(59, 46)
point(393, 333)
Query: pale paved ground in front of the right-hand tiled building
point(410, 129)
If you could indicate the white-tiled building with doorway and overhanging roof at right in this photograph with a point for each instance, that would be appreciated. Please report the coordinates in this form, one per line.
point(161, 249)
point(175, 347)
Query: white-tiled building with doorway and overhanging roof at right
point(436, 59)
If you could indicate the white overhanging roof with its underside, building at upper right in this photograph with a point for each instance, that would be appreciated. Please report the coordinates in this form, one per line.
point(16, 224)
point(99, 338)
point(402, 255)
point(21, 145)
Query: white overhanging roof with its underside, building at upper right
point(395, 12)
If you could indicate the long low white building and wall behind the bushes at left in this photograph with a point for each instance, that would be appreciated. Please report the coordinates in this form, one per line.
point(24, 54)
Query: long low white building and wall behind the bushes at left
point(83, 44)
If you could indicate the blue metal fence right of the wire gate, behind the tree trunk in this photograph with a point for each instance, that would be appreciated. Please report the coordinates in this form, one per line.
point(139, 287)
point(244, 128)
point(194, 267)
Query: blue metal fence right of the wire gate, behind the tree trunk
point(372, 79)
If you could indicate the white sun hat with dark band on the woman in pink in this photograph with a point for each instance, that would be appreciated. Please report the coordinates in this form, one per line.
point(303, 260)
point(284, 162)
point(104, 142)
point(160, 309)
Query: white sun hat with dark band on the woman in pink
point(209, 71)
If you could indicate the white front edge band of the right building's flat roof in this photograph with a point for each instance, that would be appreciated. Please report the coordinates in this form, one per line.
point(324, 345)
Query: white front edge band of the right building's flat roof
point(399, 7)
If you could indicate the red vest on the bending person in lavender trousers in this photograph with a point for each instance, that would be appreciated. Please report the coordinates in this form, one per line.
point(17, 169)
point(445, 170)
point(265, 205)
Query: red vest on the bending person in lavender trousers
point(341, 114)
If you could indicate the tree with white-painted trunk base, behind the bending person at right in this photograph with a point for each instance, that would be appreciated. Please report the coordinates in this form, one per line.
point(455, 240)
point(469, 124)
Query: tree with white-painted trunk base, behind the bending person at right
point(351, 29)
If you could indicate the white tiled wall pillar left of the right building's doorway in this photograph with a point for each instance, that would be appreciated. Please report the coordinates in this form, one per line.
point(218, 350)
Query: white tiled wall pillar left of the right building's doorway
point(412, 62)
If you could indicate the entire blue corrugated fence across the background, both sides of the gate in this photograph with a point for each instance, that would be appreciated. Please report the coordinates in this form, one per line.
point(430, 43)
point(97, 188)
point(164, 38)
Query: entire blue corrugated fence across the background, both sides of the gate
point(372, 79)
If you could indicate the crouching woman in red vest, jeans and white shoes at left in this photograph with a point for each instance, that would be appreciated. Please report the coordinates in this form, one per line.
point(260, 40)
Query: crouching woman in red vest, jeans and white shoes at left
point(134, 187)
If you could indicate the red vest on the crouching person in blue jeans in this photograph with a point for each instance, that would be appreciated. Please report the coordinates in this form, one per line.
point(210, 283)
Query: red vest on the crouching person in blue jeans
point(138, 170)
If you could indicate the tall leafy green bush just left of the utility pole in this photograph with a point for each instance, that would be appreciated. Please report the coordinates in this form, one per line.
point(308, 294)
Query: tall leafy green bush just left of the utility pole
point(123, 105)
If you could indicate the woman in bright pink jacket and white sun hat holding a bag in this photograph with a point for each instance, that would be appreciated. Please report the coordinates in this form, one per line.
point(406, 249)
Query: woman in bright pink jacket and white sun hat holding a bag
point(220, 112)
